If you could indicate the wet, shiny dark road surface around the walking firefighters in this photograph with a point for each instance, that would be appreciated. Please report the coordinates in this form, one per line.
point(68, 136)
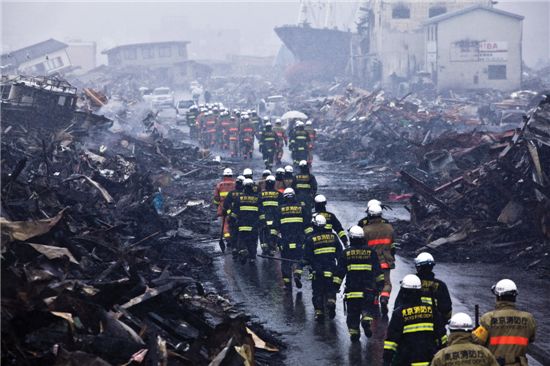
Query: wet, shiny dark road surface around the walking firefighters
point(259, 291)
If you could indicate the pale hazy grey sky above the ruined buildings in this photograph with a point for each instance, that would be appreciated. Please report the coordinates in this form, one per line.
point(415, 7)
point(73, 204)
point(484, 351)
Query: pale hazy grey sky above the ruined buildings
point(244, 27)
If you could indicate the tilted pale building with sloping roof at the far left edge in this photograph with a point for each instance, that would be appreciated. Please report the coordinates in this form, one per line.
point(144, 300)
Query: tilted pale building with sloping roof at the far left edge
point(44, 58)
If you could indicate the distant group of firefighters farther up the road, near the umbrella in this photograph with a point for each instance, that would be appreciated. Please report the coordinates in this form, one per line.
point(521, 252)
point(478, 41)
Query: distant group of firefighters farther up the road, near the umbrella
point(216, 127)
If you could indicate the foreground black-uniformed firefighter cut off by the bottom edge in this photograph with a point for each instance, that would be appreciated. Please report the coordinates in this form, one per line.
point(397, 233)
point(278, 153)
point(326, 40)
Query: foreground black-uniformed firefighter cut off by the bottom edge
point(414, 334)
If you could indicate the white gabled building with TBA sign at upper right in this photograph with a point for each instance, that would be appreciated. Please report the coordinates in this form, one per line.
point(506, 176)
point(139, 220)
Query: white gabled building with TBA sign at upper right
point(474, 48)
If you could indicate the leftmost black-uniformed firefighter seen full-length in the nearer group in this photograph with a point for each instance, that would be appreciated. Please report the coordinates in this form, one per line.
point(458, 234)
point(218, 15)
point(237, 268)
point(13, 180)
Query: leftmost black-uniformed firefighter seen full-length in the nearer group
point(247, 215)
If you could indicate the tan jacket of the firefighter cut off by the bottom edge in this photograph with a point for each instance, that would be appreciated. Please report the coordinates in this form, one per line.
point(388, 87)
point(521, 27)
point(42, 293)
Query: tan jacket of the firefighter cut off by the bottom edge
point(461, 351)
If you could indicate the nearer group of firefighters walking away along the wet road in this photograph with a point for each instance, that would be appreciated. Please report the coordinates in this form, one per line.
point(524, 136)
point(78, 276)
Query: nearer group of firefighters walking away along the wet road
point(286, 215)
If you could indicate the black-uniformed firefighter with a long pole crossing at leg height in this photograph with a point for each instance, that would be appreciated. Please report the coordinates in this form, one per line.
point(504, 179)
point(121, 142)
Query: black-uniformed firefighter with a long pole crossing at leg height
point(291, 227)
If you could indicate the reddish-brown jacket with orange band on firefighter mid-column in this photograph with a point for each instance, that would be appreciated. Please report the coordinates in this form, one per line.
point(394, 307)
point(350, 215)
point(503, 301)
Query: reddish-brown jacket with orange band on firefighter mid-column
point(379, 235)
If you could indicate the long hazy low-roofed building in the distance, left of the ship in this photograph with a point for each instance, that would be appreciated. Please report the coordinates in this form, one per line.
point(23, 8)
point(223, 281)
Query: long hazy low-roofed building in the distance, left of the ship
point(152, 55)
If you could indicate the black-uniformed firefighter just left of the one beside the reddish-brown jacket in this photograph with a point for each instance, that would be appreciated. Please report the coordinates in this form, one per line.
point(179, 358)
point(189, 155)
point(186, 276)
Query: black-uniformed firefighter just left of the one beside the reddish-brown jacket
point(321, 251)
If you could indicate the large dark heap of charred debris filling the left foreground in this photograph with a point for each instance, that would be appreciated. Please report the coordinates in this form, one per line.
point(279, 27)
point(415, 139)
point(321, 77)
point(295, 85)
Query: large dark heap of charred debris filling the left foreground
point(99, 258)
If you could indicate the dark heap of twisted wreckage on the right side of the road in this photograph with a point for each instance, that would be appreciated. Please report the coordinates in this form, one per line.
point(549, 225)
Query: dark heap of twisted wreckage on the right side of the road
point(496, 210)
